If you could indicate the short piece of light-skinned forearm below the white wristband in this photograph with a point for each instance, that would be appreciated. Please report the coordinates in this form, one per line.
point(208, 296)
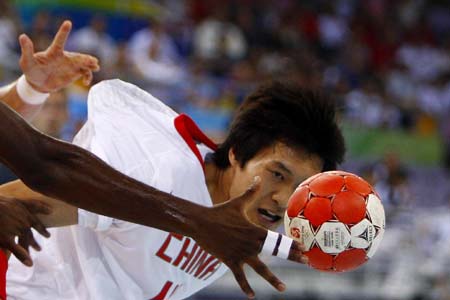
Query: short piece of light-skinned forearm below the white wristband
point(10, 96)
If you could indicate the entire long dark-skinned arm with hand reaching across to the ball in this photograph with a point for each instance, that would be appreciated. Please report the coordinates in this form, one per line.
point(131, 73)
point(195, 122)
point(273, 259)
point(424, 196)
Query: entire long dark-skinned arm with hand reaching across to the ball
point(64, 171)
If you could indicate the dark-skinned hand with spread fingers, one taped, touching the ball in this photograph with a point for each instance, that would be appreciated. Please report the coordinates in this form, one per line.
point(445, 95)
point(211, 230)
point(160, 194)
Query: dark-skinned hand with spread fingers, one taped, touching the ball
point(232, 238)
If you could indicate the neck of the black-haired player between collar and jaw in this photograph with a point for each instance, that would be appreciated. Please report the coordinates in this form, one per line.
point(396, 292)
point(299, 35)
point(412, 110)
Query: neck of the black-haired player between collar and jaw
point(218, 182)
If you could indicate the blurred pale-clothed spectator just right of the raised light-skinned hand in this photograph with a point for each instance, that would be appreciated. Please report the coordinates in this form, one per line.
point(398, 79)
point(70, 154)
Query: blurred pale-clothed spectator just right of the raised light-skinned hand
point(94, 39)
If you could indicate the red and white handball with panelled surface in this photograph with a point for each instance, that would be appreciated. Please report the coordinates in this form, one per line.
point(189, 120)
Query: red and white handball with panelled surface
point(338, 217)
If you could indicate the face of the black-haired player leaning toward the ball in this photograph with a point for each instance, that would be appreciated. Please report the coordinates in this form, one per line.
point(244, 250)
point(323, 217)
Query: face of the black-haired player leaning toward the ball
point(281, 169)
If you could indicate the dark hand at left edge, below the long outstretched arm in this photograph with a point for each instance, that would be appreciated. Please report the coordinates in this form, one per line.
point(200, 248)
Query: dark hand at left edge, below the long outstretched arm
point(17, 219)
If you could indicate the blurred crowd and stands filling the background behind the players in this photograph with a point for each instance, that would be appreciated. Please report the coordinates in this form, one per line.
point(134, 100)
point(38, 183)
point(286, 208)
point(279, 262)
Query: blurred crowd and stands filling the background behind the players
point(386, 64)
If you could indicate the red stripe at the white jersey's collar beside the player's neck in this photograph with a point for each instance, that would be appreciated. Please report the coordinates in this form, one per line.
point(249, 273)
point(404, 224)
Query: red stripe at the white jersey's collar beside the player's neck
point(191, 134)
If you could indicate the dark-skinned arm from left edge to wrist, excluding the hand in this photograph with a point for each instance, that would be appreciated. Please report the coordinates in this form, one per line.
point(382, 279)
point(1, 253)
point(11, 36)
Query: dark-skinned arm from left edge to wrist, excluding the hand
point(69, 173)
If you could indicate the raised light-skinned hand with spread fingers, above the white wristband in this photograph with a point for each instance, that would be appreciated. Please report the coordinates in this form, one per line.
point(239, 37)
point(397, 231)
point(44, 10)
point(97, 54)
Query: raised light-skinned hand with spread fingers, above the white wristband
point(54, 68)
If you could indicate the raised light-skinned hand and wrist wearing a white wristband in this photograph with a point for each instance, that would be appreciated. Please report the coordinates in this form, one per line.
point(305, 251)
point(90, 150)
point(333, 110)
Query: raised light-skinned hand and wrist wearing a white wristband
point(46, 72)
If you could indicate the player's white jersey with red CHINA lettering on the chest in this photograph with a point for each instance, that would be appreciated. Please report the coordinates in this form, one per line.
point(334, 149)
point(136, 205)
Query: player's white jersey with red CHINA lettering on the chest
point(105, 258)
